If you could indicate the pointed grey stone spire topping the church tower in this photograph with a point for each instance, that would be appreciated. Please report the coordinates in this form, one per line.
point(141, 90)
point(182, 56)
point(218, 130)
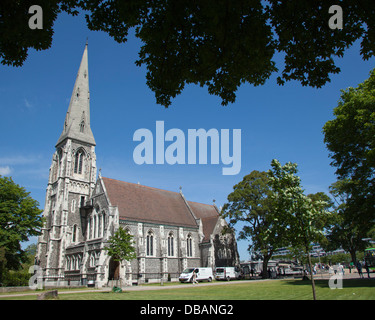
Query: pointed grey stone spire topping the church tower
point(77, 120)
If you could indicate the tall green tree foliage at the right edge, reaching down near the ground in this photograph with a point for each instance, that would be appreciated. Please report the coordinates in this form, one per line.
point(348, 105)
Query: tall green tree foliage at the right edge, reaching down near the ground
point(350, 138)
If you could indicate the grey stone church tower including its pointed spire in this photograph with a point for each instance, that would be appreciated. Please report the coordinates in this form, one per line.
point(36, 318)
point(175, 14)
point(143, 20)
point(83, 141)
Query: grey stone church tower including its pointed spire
point(71, 181)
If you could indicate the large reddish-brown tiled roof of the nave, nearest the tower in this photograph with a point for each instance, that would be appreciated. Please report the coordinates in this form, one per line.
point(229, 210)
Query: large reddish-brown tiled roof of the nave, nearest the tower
point(146, 204)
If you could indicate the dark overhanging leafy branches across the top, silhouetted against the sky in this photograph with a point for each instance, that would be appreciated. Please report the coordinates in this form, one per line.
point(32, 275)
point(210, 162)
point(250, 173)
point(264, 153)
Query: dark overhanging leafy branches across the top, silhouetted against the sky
point(218, 44)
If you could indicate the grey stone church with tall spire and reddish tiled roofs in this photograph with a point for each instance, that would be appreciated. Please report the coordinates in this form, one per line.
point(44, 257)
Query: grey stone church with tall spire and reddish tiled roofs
point(83, 210)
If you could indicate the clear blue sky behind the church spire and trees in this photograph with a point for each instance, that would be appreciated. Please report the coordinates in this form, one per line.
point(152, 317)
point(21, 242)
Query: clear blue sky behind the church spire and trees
point(276, 122)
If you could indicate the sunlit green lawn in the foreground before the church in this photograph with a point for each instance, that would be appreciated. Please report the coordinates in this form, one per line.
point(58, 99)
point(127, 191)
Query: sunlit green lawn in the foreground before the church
point(361, 289)
